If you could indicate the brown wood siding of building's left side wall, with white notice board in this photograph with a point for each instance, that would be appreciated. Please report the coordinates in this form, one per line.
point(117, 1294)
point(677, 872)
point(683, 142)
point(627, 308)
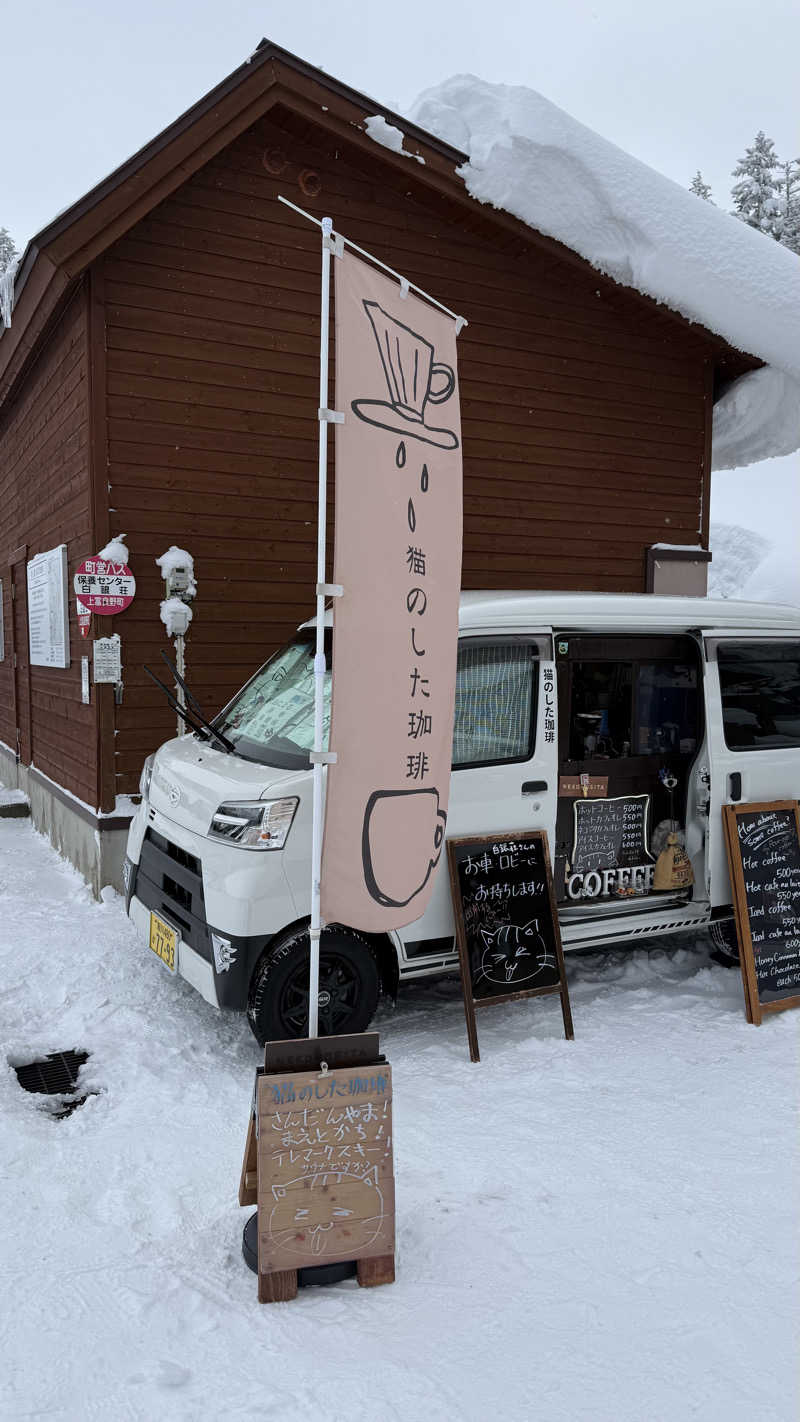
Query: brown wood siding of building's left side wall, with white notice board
point(45, 503)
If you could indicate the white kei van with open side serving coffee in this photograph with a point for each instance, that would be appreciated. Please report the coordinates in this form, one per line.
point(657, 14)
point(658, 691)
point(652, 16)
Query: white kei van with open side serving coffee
point(558, 695)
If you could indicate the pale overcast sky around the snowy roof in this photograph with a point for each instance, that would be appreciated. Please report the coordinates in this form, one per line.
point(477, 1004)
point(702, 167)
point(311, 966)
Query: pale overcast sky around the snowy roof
point(683, 85)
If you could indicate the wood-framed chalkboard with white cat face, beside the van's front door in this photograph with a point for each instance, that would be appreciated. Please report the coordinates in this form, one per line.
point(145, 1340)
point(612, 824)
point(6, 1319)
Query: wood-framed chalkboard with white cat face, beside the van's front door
point(507, 924)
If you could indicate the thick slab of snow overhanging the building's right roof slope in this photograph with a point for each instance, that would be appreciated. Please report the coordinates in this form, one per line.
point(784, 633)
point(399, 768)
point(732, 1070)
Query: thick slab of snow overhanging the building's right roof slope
point(640, 228)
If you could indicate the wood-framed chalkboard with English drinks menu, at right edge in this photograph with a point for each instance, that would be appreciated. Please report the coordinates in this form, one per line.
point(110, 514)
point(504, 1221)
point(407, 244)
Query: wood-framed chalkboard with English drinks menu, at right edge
point(764, 861)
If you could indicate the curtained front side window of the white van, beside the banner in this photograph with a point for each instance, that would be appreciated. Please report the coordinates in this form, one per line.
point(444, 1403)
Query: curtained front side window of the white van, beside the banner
point(495, 703)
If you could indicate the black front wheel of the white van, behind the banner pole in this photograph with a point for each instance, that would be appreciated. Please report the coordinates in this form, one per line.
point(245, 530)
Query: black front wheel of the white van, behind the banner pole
point(350, 988)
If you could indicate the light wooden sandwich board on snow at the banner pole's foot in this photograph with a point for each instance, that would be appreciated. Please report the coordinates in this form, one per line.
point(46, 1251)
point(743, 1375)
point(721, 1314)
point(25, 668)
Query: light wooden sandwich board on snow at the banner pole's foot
point(319, 1162)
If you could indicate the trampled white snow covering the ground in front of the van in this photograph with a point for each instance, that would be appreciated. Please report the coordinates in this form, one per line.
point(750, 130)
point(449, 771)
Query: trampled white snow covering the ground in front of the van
point(602, 1229)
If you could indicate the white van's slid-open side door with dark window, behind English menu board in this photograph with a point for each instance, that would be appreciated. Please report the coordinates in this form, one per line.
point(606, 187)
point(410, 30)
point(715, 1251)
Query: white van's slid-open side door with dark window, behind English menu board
point(752, 690)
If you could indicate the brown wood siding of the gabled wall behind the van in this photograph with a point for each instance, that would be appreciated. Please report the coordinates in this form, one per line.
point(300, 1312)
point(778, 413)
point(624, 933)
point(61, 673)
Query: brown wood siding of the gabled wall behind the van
point(585, 417)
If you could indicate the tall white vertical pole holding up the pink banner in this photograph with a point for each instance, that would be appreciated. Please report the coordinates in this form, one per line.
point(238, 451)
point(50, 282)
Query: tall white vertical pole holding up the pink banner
point(320, 652)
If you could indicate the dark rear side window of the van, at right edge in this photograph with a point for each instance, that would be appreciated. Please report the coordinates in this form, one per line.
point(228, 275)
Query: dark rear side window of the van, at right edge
point(761, 695)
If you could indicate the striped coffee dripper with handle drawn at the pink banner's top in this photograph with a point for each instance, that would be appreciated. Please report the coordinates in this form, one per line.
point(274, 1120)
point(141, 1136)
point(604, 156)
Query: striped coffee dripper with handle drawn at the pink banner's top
point(411, 372)
